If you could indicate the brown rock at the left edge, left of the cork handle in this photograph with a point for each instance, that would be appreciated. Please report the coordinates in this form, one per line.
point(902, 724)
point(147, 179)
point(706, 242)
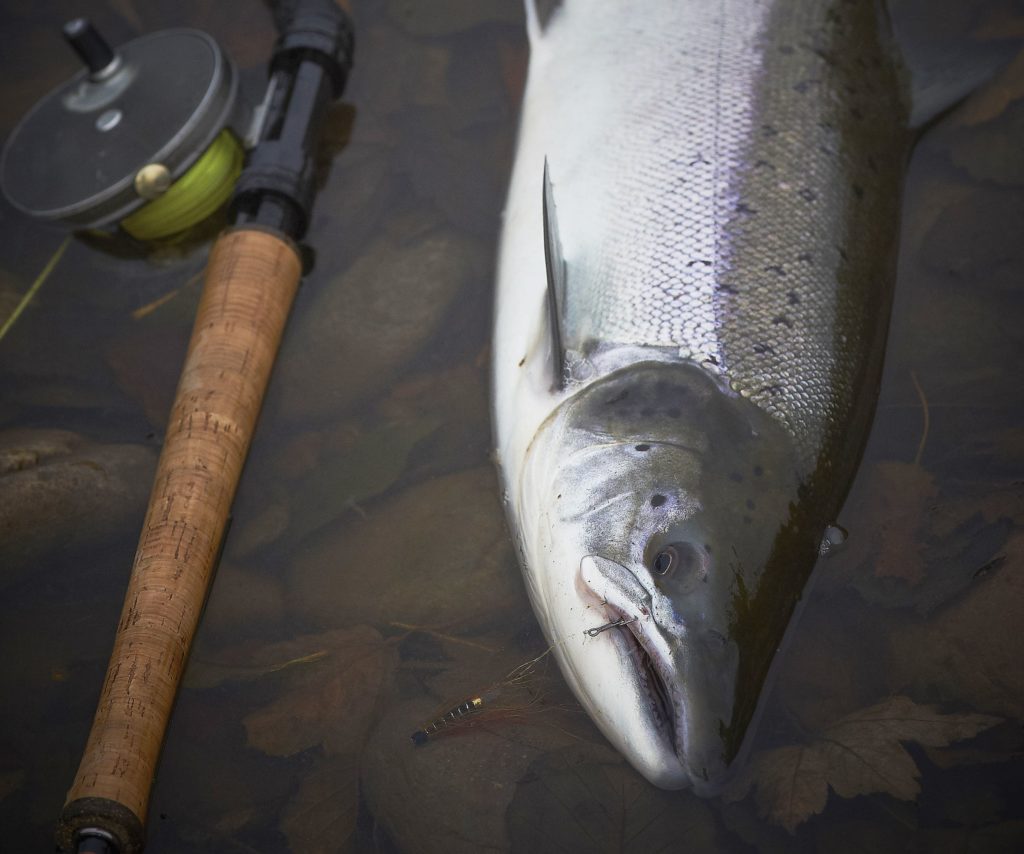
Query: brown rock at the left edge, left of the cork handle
point(61, 494)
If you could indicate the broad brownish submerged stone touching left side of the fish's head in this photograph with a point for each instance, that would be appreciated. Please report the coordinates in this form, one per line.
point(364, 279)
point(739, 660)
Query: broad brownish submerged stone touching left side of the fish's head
point(436, 556)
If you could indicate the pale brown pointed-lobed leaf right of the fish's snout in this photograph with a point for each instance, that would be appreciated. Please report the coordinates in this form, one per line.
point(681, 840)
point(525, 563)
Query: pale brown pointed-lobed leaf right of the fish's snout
point(862, 754)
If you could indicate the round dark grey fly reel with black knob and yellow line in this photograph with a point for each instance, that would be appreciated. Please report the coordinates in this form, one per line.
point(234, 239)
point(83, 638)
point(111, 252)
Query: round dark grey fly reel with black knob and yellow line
point(148, 138)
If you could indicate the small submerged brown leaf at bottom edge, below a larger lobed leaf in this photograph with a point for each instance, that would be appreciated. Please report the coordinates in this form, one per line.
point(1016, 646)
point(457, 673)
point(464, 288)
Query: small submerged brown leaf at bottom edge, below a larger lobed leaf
point(321, 818)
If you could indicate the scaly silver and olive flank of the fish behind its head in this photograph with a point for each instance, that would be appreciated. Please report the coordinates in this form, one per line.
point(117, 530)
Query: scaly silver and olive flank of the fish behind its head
point(720, 235)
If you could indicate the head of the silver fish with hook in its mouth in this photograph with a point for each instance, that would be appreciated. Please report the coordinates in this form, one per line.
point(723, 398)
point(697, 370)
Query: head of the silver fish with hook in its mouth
point(659, 498)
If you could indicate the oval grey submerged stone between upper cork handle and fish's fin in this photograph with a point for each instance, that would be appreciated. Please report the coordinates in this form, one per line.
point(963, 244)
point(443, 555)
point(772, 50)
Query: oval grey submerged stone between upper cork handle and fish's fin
point(353, 336)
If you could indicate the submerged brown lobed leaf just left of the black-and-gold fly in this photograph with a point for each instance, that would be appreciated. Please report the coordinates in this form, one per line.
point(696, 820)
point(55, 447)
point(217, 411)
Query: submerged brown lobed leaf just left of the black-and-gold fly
point(331, 702)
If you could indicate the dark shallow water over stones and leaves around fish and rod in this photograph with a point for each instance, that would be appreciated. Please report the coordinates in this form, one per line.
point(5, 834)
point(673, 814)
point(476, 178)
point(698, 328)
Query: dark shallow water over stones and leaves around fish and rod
point(368, 583)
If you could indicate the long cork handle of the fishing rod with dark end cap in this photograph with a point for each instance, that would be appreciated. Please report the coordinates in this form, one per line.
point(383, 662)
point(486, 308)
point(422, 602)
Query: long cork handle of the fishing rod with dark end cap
point(251, 281)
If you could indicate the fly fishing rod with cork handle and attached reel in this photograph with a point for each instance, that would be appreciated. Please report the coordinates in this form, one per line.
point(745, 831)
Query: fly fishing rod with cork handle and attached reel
point(251, 278)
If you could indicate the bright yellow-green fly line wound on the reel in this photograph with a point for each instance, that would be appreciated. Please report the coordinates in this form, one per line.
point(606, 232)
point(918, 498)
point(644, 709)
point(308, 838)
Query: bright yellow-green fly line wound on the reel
point(195, 196)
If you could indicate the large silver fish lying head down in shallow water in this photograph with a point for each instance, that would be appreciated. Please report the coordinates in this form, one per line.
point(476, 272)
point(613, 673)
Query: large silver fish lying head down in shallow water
point(726, 179)
